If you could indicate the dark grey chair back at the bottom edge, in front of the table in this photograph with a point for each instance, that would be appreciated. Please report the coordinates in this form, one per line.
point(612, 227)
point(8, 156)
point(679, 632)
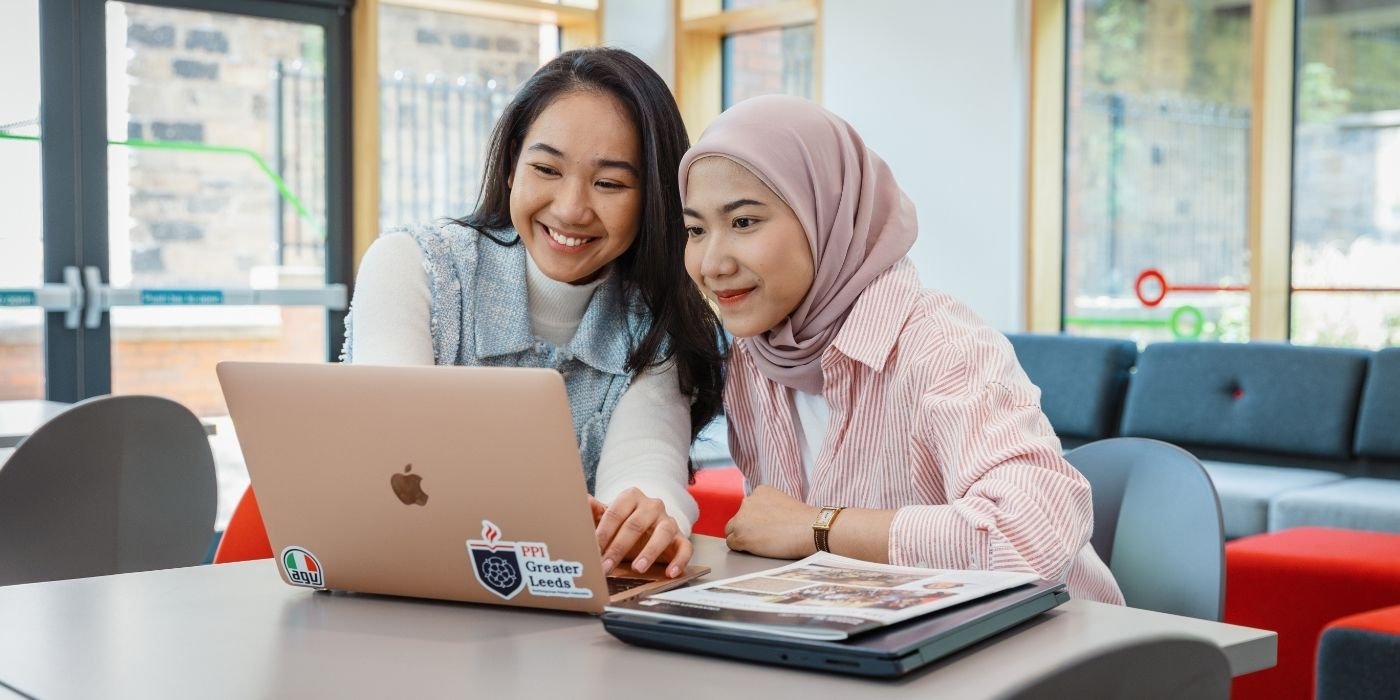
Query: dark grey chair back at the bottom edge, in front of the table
point(1157, 668)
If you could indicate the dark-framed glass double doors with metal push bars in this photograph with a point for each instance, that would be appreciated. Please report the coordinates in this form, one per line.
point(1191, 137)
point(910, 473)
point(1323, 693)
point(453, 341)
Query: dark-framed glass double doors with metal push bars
point(195, 201)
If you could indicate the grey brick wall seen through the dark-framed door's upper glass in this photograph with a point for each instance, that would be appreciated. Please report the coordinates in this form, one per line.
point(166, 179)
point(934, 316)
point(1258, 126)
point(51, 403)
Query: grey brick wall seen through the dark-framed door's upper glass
point(208, 80)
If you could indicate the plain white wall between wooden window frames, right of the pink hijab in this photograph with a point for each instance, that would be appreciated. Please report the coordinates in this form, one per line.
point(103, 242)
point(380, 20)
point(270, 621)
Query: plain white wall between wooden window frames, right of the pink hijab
point(939, 89)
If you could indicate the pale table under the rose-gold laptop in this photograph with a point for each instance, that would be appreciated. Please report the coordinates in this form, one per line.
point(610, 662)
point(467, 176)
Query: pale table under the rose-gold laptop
point(237, 631)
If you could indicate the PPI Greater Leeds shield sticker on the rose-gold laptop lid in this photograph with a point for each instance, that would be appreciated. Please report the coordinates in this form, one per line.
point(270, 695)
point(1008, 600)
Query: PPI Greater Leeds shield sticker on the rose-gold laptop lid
point(506, 568)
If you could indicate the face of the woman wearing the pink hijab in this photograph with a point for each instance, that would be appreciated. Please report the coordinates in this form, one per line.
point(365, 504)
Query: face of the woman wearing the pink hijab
point(745, 247)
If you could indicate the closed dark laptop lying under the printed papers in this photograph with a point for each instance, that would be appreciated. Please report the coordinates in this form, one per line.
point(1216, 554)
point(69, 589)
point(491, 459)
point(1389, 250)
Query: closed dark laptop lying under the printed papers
point(884, 653)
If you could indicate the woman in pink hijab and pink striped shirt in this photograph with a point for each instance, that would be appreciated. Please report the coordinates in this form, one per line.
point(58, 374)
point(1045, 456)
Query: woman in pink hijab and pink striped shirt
point(873, 418)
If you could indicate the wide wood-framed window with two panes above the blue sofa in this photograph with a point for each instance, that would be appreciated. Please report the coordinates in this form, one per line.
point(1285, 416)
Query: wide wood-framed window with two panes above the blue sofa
point(1231, 170)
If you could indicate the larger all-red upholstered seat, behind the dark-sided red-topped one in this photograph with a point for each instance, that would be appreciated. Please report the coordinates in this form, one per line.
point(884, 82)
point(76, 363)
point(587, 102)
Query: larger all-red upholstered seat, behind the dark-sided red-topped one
point(1296, 583)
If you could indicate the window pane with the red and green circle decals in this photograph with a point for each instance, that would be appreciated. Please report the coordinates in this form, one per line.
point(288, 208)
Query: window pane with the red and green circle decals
point(1157, 157)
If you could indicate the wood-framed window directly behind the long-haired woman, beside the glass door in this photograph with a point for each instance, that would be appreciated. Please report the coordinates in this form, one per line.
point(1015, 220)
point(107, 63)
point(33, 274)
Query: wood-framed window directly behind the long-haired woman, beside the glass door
point(435, 79)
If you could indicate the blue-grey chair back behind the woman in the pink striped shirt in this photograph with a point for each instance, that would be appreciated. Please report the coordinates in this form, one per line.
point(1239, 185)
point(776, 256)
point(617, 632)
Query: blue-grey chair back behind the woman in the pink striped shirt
point(1157, 524)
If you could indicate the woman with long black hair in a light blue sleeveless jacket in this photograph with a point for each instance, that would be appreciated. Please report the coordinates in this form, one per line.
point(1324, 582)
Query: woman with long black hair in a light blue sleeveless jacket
point(573, 260)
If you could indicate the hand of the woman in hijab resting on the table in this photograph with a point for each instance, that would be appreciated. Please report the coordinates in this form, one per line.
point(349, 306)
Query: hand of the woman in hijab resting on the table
point(773, 524)
